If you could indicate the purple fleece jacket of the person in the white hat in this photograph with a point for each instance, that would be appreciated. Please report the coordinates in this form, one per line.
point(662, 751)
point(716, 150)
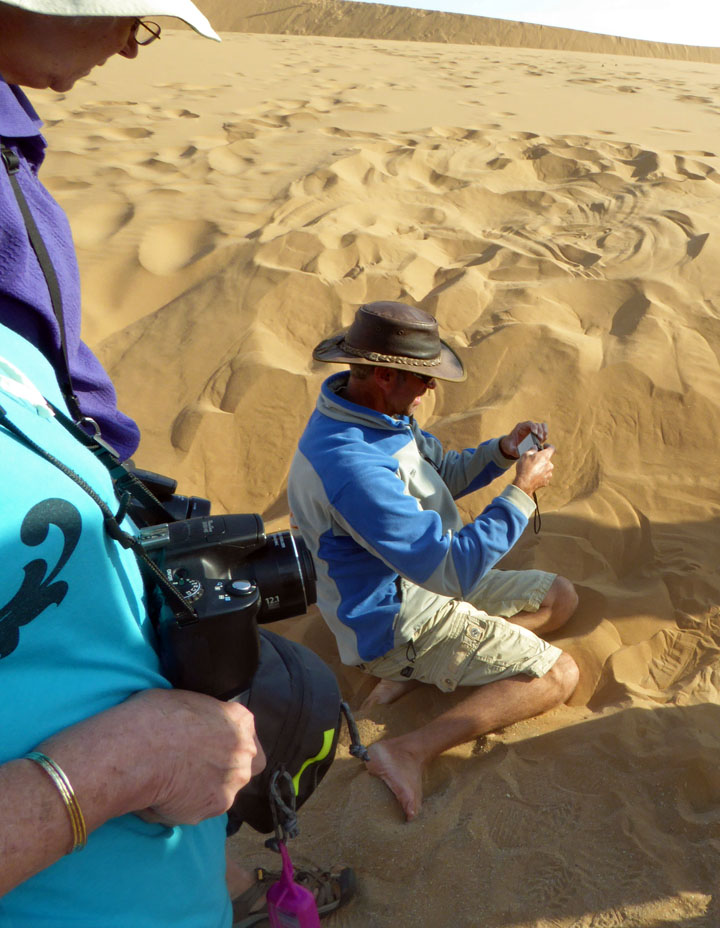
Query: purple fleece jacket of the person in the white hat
point(24, 298)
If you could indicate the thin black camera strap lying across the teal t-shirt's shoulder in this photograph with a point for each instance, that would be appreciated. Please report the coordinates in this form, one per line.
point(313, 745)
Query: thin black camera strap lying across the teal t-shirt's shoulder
point(181, 609)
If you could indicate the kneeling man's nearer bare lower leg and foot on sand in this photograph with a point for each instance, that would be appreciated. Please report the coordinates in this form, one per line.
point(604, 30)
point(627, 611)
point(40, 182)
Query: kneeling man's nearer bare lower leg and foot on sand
point(399, 762)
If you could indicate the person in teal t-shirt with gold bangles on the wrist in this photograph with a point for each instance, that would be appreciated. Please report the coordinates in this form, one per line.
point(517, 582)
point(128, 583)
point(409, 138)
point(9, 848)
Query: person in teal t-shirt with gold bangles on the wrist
point(85, 701)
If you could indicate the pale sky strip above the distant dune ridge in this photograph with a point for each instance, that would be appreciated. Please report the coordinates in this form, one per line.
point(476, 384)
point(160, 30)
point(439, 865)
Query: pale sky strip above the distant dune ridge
point(687, 22)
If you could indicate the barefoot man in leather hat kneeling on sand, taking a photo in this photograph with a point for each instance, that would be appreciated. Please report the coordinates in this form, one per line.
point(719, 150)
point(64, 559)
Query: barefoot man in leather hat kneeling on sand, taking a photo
point(409, 590)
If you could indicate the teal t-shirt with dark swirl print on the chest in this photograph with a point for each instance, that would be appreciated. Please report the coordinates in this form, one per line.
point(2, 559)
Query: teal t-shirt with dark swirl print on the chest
point(75, 639)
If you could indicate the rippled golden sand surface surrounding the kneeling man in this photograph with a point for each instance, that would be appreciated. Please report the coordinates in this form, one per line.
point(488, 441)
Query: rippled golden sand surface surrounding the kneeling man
point(560, 213)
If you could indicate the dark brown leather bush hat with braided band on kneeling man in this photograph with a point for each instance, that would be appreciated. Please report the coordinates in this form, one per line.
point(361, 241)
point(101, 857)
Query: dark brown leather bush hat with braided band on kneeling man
point(387, 334)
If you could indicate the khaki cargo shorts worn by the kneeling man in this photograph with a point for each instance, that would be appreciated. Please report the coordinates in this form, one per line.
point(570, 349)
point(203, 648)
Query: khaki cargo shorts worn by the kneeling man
point(465, 645)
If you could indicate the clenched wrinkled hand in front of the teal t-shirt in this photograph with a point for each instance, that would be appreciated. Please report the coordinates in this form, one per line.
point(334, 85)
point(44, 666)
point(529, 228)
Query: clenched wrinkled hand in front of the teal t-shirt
point(204, 752)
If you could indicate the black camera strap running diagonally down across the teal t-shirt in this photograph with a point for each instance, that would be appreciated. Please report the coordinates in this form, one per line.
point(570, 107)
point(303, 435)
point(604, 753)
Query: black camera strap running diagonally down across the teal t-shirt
point(182, 611)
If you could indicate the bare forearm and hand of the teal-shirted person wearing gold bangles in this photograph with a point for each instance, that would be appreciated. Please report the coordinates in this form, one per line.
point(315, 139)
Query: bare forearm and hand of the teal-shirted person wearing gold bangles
point(177, 757)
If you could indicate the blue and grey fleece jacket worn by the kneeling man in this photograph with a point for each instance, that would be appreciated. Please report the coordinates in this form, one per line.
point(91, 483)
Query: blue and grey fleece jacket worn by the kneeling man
point(373, 498)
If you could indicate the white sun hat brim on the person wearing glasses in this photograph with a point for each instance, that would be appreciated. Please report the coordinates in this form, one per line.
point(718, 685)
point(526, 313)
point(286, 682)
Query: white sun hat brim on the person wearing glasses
point(180, 9)
